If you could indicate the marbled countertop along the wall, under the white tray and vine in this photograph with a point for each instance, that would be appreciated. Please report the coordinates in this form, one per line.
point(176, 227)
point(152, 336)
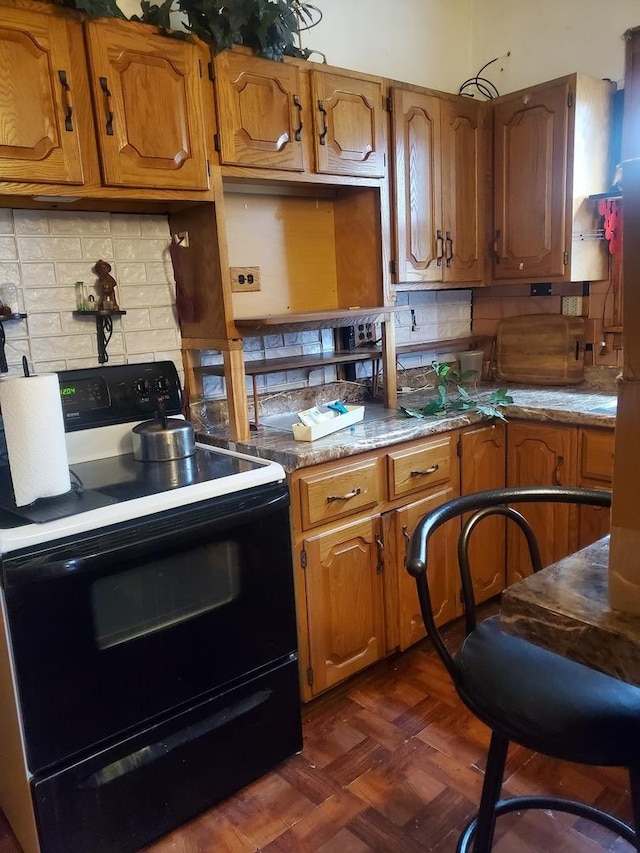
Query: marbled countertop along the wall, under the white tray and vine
point(382, 427)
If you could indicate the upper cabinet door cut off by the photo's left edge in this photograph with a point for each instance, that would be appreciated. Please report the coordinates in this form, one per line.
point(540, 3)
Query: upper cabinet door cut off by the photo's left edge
point(38, 127)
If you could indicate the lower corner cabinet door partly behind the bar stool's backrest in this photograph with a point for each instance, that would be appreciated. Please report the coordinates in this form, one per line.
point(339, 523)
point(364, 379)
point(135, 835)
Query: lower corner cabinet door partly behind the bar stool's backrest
point(542, 455)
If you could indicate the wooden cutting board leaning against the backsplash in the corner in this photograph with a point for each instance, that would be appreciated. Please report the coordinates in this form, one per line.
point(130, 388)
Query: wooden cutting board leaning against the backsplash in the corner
point(541, 349)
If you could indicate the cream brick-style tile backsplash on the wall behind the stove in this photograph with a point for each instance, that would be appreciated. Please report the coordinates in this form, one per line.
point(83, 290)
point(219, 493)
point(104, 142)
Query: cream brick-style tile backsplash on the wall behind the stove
point(51, 250)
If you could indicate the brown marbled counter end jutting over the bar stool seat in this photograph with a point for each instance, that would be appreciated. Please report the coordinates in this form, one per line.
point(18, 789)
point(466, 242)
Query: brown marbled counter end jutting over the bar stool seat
point(565, 608)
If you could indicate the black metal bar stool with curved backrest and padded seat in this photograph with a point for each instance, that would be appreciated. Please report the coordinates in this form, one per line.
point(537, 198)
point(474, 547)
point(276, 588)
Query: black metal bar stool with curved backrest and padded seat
point(523, 692)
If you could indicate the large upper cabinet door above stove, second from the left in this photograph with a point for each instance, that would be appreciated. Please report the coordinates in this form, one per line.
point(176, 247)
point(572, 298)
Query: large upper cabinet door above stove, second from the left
point(148, 107)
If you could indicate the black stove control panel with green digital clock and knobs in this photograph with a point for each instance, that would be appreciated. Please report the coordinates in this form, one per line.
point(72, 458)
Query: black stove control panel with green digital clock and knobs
point(100, 396)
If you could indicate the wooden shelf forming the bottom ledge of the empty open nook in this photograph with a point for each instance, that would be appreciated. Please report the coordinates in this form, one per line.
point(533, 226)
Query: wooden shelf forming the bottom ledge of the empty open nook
point(333, 319)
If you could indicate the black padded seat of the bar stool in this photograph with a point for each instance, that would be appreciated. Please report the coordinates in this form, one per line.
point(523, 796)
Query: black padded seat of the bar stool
point(547, 702)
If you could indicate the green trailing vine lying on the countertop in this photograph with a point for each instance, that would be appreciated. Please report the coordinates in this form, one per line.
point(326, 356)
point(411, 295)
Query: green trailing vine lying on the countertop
point(452, 397)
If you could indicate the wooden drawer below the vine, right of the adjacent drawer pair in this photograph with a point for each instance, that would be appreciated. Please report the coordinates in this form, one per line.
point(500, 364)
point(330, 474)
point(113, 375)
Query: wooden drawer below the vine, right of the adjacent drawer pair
point(420, 467)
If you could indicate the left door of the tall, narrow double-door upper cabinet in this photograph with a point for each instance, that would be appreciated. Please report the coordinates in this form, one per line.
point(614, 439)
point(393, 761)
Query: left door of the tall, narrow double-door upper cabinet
point(418, 205)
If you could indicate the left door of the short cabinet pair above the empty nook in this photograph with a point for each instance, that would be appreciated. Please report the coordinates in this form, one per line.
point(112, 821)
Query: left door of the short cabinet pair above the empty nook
point(260, 112)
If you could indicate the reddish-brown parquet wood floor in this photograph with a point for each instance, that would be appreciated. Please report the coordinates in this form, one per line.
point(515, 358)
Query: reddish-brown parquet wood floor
point(394, 764)
